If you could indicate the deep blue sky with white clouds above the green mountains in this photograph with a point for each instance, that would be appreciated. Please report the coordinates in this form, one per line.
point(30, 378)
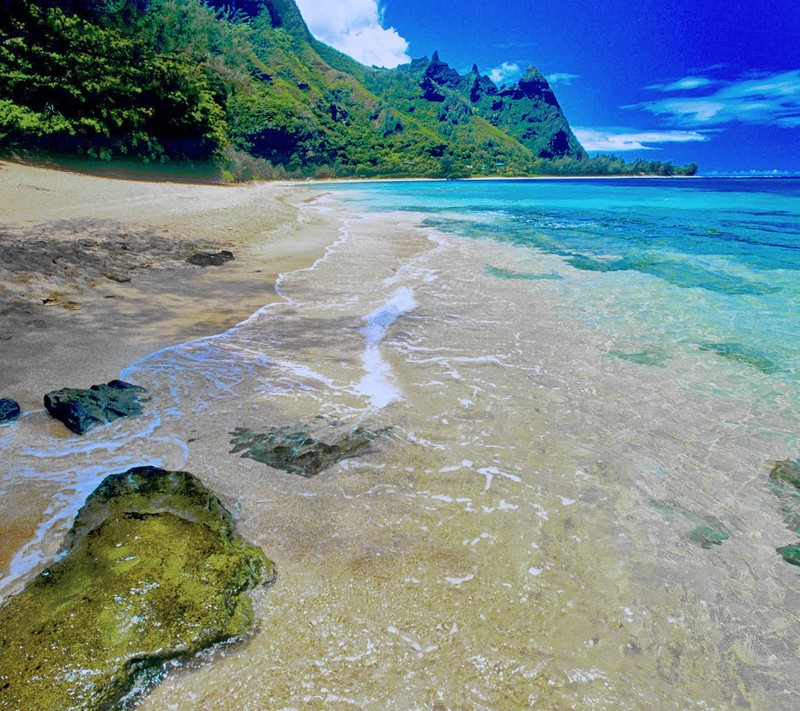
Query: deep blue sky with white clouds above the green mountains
point(713, 81)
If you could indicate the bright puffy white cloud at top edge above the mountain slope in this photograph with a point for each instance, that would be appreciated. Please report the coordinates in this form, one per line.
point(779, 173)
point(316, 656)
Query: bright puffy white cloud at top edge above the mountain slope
point(355, 27)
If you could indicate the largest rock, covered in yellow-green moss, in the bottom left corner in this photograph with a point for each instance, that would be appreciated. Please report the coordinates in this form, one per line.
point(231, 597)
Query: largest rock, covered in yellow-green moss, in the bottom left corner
point(153, 570)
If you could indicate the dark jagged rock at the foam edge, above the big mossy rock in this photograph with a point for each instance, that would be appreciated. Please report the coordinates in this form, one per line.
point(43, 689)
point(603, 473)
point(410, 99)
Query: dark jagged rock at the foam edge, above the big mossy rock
point(80, 410)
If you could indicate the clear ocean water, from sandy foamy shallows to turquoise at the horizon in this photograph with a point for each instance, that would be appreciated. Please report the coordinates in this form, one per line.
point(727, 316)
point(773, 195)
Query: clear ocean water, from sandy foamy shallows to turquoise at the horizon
point(584, 384)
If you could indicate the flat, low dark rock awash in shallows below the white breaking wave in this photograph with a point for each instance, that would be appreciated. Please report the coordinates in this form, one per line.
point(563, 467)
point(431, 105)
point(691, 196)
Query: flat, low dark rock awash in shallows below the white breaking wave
point(304, 450)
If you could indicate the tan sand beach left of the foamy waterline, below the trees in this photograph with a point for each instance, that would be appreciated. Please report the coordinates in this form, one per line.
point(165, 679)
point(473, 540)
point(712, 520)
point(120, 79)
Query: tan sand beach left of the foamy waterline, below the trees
point(94, 277)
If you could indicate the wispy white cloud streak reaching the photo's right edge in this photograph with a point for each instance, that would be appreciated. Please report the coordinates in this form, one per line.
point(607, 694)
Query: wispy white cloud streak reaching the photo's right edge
point(772, 99)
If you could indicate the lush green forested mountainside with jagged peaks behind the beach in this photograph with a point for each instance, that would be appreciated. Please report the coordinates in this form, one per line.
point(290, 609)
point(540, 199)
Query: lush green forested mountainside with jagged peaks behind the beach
point(251, 90)
